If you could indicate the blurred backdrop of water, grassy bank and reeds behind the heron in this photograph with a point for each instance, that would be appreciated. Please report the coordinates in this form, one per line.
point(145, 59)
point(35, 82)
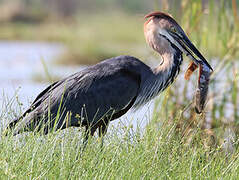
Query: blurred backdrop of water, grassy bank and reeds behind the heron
point(45, 40)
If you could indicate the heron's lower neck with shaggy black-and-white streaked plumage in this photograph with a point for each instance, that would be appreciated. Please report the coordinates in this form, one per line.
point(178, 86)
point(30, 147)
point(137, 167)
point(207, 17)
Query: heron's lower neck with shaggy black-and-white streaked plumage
point(161, 77)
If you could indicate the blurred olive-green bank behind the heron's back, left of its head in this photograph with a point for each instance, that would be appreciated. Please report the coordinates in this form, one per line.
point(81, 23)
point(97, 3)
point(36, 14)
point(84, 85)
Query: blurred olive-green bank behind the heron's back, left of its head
point(88, 39)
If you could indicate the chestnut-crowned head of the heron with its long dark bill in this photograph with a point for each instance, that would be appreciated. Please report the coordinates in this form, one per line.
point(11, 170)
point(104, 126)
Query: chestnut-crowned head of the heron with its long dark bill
point(162, 32)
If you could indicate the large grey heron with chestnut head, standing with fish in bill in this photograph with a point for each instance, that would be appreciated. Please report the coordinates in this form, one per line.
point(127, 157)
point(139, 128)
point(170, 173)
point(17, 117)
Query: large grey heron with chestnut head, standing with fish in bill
point(103, 92)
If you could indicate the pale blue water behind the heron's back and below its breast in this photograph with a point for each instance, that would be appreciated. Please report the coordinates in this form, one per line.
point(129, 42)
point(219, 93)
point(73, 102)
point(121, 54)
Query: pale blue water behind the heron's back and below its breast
point(21, 61)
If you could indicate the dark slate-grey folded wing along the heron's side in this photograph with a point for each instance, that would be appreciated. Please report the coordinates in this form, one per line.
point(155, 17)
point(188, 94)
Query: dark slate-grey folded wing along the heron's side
point(87, 96)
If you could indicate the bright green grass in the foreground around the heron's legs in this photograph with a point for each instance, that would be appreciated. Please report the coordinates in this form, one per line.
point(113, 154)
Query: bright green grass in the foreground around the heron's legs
point(158, 153)
